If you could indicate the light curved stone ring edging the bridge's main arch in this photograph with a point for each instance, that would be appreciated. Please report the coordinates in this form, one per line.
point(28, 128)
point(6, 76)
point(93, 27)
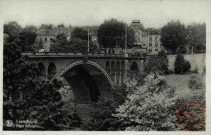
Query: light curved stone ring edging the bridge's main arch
point(80, 62)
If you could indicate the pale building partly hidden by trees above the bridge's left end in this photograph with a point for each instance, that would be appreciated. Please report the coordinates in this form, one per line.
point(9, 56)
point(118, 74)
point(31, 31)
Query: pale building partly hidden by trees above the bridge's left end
point(46, 36)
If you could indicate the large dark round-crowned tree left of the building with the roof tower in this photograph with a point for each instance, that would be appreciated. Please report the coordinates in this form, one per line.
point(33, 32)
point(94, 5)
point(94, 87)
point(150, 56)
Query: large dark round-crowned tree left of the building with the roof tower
point(113, 31)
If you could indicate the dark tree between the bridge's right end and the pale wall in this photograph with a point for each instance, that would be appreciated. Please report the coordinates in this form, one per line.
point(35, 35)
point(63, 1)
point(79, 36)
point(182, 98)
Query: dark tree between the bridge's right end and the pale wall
point(157, 63)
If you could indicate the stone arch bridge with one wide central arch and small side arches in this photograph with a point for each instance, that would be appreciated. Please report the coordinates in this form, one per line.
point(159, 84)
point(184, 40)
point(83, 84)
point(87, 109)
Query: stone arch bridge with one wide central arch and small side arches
point(91, 73)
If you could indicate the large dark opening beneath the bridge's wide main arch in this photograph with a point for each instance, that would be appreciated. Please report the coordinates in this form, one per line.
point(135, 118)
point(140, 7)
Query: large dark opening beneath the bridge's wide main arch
point(88, 81)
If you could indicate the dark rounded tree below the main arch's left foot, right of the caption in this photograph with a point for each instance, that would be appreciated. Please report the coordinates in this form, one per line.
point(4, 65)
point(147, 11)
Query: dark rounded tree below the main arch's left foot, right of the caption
point(46, 104)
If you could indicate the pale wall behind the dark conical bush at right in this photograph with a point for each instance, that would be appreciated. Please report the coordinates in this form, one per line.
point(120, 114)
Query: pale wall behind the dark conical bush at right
point(196, 61)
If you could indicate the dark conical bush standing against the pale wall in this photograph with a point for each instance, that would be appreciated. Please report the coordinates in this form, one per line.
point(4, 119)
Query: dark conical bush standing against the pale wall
point(181, 66)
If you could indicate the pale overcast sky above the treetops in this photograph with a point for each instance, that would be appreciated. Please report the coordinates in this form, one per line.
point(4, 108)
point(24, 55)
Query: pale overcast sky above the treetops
point(152, 13)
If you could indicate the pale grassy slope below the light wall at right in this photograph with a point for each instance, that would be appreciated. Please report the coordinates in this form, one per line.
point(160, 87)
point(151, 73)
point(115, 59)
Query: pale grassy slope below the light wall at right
point(180, 82)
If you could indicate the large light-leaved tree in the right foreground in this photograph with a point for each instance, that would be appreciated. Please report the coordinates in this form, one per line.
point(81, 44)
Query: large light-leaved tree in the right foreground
point(149, 106)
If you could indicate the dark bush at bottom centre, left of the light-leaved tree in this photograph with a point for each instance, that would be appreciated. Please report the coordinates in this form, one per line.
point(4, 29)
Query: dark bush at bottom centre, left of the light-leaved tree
point(101, 118)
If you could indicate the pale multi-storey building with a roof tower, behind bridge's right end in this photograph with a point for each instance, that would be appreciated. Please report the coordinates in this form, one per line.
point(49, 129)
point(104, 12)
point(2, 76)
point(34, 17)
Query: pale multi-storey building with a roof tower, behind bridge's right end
point(146, 40)
